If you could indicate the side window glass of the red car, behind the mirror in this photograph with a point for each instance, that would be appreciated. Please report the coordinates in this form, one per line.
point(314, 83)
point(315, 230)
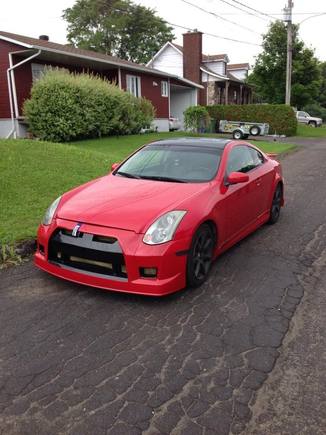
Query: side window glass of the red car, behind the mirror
point(243, 159)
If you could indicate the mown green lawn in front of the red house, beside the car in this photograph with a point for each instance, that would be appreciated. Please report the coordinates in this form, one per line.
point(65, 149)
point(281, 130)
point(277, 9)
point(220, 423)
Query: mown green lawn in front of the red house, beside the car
point(33, 174)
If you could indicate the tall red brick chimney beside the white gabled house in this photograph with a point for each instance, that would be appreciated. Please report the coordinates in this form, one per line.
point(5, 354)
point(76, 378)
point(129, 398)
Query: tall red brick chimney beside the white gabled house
point(192, 56)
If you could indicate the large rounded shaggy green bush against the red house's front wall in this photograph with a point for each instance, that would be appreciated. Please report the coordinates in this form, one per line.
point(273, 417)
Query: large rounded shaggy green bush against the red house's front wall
point(66, 106)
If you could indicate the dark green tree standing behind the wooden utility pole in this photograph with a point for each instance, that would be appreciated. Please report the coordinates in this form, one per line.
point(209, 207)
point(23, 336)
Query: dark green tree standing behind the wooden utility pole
point(269, 72)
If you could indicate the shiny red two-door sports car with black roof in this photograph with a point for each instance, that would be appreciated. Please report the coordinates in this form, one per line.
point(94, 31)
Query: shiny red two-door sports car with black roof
point(155, 224)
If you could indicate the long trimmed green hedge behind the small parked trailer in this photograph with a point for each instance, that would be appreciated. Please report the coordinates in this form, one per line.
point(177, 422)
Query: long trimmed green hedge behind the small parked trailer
point(280, 117)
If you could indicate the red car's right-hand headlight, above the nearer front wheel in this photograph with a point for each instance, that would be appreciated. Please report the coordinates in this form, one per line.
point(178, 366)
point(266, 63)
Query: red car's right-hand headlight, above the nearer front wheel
point(163, 229)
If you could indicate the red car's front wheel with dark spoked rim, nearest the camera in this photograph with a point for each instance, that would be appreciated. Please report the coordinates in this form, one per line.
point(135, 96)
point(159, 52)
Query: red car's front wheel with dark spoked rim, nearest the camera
point(200, 256)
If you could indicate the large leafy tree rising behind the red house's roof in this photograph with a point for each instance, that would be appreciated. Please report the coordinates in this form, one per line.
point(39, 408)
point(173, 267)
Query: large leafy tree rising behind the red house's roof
point(117, 27)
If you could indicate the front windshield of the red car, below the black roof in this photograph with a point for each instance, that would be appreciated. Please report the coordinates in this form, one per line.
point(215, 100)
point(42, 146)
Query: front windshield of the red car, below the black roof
point(173, 163)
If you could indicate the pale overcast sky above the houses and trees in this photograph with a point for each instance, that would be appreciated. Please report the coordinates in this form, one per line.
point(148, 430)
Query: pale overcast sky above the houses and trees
point(35, 17)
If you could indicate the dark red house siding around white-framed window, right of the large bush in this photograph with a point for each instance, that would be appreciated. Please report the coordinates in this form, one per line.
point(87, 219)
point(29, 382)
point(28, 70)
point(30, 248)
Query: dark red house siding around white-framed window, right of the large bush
point(150, 91)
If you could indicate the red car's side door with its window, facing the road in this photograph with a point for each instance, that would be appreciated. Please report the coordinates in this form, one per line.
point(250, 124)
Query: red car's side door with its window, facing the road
point(241, 201)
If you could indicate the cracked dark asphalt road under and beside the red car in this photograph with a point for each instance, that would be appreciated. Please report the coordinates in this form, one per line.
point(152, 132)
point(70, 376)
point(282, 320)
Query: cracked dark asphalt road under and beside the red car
point(74, 360)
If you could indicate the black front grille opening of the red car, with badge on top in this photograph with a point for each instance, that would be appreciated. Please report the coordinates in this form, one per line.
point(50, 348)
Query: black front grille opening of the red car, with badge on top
point(88, 253)
